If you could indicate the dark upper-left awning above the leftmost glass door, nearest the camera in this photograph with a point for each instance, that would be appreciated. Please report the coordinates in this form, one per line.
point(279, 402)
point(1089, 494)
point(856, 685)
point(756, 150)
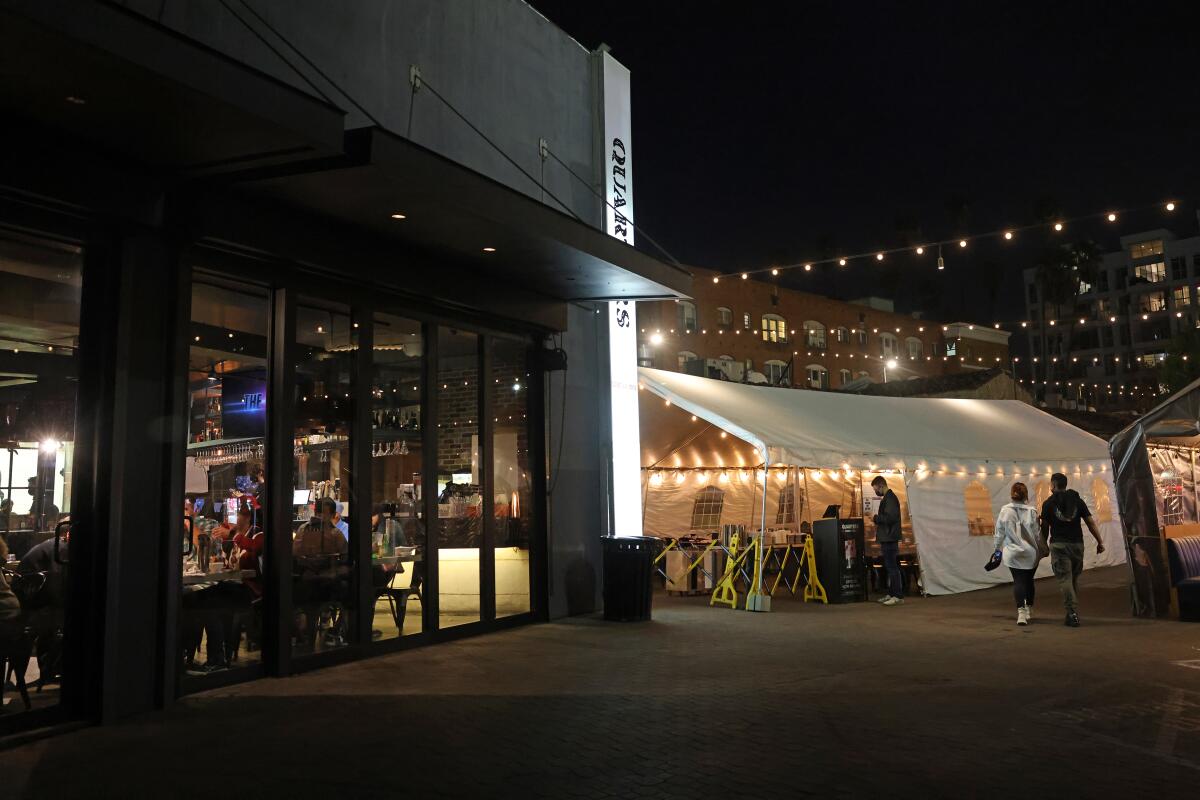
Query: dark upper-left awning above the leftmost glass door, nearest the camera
point(141, 92)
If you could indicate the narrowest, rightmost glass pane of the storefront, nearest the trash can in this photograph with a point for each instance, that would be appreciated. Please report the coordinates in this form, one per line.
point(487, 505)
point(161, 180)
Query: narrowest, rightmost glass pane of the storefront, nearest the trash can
point(514, 507)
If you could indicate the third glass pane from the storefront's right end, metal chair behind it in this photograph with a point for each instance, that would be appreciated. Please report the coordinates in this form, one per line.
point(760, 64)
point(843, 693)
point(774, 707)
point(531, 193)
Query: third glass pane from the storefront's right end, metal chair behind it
point(398, 519)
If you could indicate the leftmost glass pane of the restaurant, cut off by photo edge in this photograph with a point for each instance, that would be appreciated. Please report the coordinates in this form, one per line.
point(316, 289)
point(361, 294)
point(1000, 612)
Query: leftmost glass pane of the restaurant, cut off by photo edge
point(40, 296)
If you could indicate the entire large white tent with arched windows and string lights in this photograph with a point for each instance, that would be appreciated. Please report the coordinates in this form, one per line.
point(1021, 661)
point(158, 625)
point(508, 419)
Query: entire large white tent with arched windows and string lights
point(949, 454)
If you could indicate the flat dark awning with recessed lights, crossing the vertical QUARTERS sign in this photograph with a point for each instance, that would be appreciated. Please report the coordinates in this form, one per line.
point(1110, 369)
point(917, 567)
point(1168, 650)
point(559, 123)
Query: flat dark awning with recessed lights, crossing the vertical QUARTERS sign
point(454, 212)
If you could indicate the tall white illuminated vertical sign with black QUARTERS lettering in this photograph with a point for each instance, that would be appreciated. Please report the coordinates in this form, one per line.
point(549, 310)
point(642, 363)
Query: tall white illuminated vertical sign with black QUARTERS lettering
point(627, 446)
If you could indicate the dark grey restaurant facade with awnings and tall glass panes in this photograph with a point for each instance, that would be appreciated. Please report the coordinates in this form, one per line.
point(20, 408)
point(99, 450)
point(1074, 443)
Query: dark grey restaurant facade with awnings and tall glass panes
point(304, 339)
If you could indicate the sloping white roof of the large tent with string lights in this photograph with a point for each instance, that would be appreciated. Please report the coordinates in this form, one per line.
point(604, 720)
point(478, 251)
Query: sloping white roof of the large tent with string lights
point(831, 430)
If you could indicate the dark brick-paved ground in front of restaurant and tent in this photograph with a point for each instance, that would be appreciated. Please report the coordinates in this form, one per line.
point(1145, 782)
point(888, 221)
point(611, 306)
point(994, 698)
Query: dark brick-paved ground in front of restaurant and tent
point(940, 699)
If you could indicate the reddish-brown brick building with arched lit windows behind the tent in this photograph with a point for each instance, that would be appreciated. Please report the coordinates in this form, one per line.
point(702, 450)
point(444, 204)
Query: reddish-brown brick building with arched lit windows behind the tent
point(737, 329)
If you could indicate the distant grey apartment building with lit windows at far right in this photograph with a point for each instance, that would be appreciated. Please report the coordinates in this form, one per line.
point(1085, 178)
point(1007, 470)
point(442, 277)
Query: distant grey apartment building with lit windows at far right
point(1106, 348)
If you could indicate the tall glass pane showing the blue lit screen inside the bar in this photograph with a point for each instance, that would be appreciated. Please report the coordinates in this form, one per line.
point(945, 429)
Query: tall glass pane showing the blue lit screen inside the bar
point(225, 491)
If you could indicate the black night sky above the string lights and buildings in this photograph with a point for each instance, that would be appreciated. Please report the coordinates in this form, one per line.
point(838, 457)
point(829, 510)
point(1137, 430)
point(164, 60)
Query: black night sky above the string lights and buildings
point(769, 133)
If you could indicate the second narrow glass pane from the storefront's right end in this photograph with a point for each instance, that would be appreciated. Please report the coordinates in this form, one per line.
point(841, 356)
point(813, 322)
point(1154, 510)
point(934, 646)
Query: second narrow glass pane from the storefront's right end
point(460, 482)
